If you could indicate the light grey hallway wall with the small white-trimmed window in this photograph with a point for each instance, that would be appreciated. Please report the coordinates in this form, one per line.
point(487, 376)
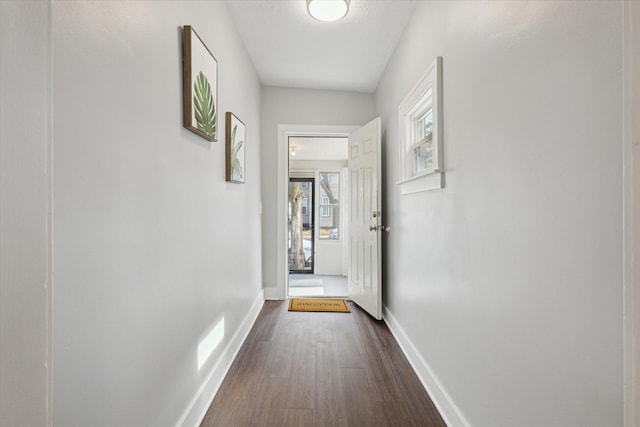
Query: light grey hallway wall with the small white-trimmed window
point(508, 282)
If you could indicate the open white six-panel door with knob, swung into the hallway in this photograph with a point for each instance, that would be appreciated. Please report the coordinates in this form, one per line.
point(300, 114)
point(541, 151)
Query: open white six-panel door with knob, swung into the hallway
point(365, 226)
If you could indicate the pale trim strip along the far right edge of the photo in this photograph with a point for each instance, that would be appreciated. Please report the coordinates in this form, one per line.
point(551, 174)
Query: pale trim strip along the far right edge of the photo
point(631, 210)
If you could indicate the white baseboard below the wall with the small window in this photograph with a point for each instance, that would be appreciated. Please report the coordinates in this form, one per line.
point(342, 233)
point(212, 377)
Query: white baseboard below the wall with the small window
point(445, 405)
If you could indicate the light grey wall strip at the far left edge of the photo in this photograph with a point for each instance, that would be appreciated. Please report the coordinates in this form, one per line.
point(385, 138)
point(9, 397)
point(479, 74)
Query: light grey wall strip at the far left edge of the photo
point(25, 215)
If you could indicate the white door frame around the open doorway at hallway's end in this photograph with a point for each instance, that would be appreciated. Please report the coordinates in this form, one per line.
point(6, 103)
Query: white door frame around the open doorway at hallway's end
point(285, 131)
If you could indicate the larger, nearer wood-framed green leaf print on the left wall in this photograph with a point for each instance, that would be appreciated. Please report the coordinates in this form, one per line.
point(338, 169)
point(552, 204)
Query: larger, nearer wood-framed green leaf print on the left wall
point(200, 86)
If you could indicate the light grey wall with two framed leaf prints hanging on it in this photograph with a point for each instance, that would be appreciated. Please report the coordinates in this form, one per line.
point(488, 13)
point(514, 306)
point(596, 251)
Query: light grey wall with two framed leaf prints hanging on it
point(153, 249)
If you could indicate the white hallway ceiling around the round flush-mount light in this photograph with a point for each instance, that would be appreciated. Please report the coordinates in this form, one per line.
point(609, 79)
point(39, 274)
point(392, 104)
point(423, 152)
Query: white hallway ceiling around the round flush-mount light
point(289, 48)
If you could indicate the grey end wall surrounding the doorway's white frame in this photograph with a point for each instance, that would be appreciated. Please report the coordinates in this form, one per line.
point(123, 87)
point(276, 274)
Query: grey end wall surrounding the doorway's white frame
point(297, 107)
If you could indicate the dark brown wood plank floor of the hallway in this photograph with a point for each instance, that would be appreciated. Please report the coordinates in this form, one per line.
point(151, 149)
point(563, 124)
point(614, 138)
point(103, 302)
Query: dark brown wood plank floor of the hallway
point(320, 369)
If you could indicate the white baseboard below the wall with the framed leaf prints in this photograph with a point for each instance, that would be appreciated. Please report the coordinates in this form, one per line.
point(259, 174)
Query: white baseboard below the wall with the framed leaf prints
point(197, 409)
